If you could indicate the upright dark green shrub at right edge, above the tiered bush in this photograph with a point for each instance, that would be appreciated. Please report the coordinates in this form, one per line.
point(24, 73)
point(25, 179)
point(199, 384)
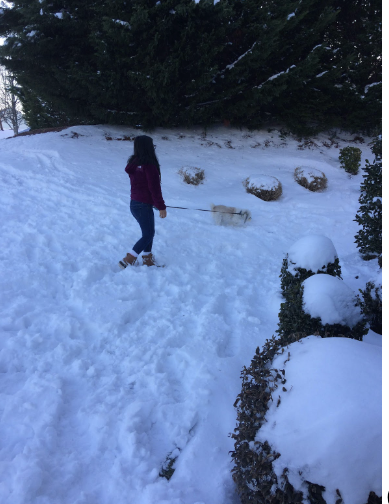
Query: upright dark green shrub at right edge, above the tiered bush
point(369, 215)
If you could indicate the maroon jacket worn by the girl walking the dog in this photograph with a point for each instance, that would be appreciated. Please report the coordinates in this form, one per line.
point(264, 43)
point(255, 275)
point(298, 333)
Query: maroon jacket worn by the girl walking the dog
point(145, 184)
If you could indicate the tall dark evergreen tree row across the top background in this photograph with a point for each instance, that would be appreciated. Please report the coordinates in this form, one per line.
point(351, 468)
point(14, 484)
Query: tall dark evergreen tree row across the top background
point(149, 63)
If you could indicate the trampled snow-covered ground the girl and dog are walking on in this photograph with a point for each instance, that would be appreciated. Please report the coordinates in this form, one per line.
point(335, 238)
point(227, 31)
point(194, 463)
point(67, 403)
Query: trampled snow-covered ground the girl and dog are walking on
point(105, 374)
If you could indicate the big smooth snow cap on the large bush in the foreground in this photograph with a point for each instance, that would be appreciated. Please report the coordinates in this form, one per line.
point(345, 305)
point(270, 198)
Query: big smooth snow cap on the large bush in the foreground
point(332, 410)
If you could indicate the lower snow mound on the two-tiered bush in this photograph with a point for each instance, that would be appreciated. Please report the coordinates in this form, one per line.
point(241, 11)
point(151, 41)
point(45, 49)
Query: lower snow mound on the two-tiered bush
point(330, 299)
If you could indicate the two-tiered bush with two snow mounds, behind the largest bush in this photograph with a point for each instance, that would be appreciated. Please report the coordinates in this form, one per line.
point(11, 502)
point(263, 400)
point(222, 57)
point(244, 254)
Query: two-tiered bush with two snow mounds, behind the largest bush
point(315, 256)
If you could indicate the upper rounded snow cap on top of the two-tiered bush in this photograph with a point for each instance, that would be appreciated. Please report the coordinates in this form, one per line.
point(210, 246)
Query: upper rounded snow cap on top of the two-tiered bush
point(311, 252)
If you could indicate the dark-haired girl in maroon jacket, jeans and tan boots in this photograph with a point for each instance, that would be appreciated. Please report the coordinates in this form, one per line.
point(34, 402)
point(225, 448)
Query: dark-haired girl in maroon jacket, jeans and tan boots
point(145, 175)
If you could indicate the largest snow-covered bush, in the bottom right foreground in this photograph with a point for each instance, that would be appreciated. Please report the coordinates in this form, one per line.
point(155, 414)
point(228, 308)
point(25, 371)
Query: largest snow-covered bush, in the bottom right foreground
point(288, 454)
